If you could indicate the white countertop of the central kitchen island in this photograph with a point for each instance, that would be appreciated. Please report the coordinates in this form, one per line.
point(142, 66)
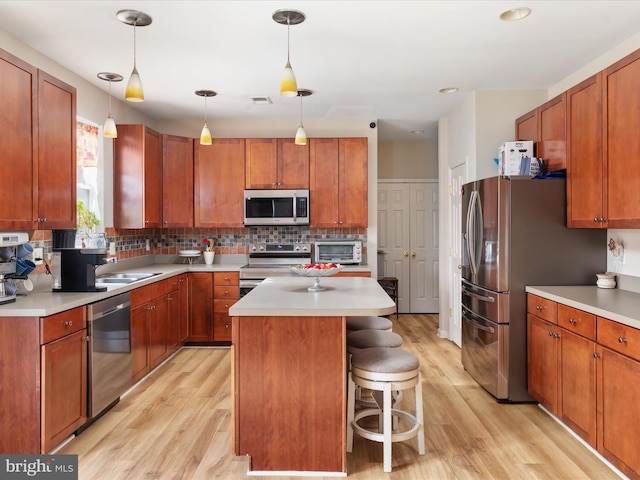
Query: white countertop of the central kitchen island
point(288, 296)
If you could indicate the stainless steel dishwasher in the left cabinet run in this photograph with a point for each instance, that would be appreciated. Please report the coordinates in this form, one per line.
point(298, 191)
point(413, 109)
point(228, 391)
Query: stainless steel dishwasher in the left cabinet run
point(109, 351)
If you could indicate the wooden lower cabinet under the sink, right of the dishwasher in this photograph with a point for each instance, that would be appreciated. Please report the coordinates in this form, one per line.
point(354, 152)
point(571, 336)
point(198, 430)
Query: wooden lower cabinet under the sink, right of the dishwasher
point(155, 323)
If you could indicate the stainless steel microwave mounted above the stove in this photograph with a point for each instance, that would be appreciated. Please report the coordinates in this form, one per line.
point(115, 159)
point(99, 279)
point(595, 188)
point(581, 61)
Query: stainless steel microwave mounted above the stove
point(276, 207)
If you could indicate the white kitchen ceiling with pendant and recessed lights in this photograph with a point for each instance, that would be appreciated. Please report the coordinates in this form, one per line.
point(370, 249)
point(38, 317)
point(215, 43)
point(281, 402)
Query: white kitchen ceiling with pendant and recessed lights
point(375, 60)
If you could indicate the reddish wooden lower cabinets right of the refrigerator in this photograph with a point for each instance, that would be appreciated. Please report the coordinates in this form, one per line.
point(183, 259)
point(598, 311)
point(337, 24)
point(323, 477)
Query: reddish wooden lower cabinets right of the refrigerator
point(586, 371)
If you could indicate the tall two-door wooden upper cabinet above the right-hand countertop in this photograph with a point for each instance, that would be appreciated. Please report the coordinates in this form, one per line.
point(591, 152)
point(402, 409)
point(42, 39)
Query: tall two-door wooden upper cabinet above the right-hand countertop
point(602, 168)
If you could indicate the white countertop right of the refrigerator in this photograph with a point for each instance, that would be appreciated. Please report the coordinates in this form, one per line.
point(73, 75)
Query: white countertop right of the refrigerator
point(622, 306)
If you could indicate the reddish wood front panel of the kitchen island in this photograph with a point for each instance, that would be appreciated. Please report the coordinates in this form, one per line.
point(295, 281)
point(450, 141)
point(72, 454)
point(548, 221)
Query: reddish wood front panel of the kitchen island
point(290, 392)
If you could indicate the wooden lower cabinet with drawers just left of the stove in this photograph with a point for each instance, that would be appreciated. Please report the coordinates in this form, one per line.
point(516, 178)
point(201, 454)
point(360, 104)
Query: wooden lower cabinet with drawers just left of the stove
point(210, 297)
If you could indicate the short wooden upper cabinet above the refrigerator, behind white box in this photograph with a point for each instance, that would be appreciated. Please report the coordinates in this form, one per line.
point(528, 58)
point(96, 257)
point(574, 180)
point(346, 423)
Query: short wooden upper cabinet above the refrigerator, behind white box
point(546, 126)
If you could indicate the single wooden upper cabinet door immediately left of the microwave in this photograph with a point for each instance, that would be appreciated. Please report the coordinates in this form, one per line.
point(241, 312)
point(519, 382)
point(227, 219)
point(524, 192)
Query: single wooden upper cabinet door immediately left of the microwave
point(219, 183)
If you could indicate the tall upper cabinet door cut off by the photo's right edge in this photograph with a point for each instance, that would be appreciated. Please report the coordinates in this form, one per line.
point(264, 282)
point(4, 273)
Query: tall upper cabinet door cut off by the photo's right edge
point(621, 86)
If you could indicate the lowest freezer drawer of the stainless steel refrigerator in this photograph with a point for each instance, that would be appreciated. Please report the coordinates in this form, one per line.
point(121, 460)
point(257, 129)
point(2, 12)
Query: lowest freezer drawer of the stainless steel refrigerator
point(485, 346)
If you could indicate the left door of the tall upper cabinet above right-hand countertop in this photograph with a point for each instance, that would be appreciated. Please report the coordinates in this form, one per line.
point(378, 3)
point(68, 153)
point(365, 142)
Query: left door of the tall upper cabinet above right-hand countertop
point(585, 167)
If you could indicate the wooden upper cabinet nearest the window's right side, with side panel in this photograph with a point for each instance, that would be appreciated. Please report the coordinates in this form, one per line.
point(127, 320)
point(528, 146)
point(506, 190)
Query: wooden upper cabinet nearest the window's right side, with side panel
point(137, 178)
